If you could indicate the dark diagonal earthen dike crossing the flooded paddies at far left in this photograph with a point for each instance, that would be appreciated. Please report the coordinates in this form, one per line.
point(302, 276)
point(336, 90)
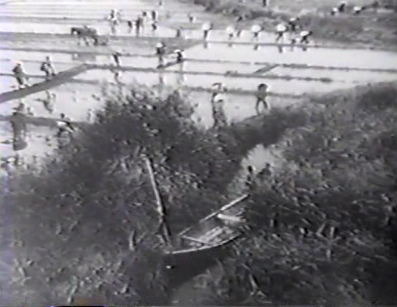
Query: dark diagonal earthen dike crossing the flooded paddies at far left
point(58, 79)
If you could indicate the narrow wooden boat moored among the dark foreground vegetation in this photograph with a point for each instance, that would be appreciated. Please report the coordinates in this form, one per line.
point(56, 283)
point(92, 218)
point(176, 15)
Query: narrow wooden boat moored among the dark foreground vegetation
point(210, 235)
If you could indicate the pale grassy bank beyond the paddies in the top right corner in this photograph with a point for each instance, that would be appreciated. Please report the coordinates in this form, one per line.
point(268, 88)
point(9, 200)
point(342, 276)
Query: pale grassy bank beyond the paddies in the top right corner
point(372, 29)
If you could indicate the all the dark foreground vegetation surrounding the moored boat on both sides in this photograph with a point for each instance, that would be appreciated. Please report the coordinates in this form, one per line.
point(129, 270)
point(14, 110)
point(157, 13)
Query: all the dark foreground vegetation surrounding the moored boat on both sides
point(86, 224)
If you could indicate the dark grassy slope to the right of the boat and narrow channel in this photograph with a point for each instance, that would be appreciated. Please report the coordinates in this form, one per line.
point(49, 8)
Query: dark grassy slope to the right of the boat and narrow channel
point(326, 222)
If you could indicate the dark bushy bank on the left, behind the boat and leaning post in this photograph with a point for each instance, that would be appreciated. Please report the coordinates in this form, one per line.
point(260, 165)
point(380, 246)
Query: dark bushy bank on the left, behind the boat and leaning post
point(86, 224)
